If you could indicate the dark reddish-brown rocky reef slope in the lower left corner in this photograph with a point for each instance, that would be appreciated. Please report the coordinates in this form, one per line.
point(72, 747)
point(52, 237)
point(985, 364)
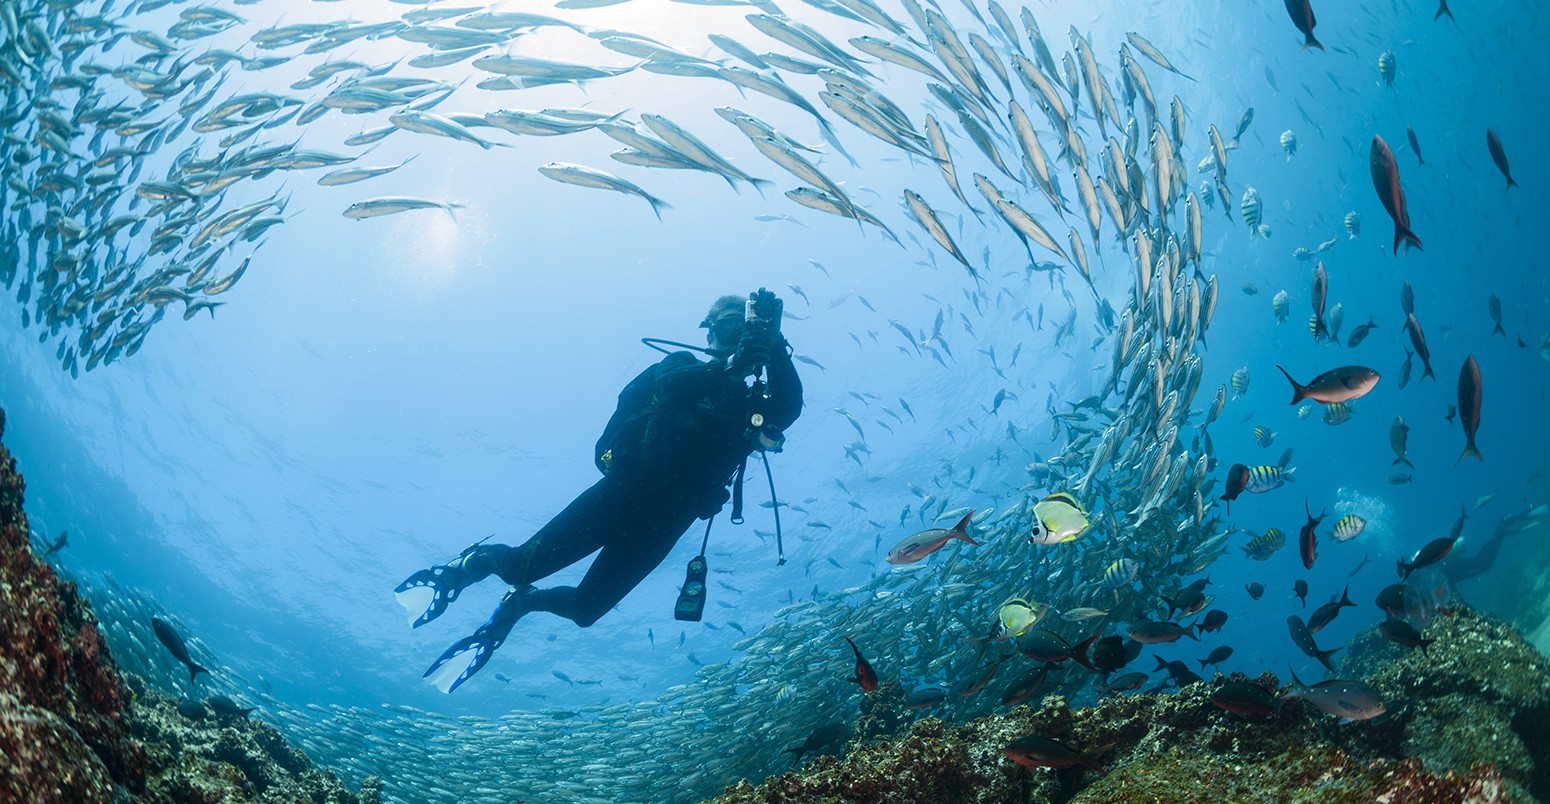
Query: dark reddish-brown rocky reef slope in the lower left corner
point(72, 729)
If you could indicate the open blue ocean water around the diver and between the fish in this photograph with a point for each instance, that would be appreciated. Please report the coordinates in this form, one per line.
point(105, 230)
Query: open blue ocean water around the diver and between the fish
point(379, 394)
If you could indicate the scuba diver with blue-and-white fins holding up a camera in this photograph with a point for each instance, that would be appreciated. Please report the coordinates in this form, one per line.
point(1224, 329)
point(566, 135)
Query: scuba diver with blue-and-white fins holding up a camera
point(680, 438)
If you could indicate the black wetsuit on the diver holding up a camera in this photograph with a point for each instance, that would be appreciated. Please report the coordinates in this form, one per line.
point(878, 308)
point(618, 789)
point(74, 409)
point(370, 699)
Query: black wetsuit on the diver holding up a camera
point(677, 438)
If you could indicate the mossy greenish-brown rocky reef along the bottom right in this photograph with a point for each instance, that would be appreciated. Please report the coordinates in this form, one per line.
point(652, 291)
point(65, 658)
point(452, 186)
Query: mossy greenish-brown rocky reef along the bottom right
point(1469, 723)
